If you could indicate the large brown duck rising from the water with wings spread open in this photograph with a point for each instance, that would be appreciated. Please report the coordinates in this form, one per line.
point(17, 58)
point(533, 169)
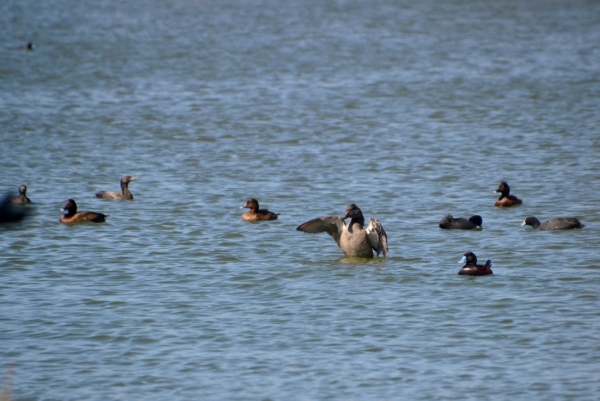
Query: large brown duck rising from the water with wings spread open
point(352, 238)
